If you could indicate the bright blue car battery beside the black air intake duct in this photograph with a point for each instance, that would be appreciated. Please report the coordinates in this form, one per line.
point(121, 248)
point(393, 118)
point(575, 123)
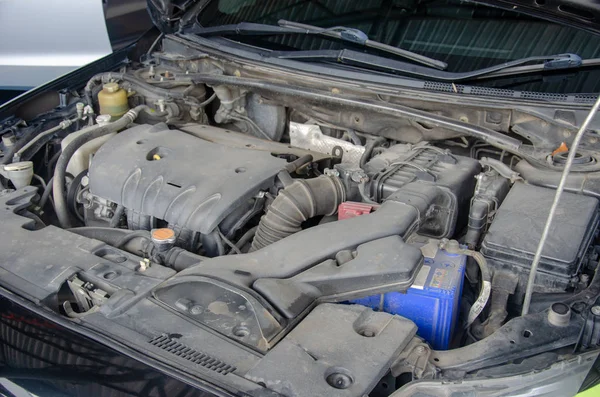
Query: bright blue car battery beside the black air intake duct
point(432, 302)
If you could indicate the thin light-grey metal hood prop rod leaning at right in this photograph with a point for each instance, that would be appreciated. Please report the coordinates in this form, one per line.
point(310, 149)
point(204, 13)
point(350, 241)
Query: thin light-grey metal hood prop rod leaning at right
point(559, 190)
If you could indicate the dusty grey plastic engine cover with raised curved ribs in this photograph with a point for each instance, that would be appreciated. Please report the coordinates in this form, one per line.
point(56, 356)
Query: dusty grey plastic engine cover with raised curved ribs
point(174, 176)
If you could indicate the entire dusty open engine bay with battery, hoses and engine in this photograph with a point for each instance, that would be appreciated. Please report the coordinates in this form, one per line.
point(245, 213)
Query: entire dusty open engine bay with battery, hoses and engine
point(270, 249)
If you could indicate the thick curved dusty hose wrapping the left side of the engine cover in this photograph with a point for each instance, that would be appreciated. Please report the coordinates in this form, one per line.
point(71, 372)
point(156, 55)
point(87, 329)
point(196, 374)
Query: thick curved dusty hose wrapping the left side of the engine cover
point(60, 200)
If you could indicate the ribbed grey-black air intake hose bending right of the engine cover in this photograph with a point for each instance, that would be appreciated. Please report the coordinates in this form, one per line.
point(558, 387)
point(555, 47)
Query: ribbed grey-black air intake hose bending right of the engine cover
point(302, 200)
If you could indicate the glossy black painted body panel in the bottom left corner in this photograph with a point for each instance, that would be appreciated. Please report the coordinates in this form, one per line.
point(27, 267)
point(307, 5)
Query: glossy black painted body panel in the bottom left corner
point(46, 358)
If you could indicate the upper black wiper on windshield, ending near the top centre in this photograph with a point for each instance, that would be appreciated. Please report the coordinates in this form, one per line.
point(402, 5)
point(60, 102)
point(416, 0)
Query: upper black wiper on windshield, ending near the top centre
point(346, 34)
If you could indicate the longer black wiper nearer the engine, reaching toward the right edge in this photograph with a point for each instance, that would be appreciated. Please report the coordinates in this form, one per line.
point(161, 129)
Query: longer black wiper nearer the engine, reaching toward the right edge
point(359, 59)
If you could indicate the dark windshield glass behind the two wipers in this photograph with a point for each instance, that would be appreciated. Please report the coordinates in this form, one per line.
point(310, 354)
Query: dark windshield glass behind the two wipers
point(467, 36)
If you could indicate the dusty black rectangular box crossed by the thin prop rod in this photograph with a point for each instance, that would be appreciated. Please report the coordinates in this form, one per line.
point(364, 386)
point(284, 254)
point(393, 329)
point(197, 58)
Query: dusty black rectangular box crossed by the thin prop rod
point(512, 239)
